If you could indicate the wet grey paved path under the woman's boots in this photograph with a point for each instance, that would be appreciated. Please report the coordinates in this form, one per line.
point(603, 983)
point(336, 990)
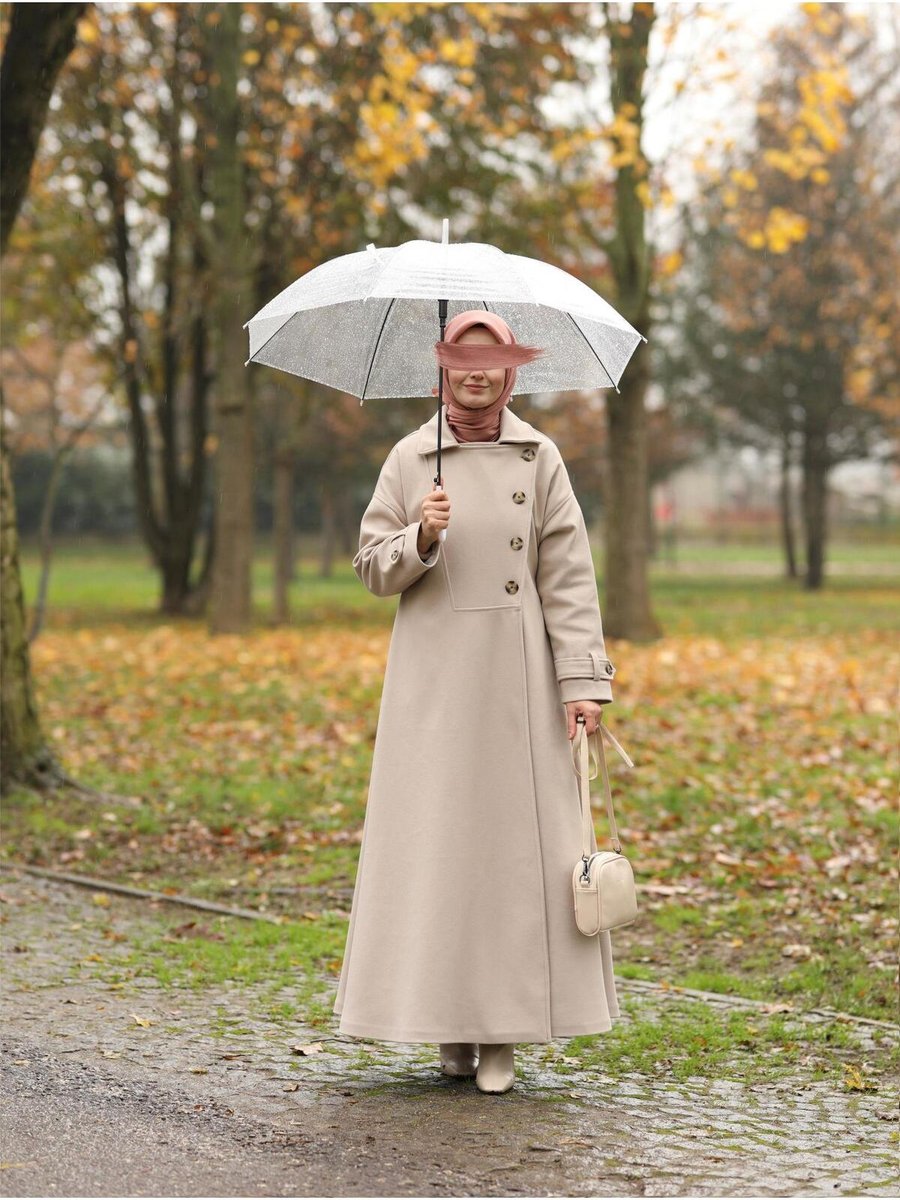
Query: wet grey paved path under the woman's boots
point(95, 1103)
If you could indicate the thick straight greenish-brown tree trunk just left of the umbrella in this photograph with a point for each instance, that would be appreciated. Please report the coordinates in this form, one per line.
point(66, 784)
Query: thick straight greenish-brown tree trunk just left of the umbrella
point(233, 491)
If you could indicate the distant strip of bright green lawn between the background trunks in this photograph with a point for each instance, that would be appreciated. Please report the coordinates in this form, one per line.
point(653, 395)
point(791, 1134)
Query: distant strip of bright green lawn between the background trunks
point(94, 584)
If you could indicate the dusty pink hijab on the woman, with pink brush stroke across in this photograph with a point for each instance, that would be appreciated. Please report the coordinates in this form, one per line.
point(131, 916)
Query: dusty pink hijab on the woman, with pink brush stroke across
point(479, 424)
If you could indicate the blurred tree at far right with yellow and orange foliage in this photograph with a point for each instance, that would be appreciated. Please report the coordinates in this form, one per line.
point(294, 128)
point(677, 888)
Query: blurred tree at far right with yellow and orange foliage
point(791, 305)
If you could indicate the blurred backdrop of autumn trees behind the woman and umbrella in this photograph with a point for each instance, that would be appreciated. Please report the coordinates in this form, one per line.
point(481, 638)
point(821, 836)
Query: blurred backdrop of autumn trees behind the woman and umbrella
point(724, 187)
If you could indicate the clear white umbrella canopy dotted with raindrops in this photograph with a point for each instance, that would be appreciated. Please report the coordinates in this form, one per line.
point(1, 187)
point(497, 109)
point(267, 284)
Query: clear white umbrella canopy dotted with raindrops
point(367, 323)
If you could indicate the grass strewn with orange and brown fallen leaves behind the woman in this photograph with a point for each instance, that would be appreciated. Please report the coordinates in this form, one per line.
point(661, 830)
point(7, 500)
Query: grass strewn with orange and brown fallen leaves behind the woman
point(764, 767)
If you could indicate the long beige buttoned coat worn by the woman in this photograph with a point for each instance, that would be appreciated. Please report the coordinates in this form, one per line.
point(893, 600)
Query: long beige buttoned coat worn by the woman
point(463, 925)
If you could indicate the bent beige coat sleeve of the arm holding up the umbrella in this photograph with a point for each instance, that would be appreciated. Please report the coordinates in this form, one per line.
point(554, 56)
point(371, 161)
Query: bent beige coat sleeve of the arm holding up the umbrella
point(388, 560)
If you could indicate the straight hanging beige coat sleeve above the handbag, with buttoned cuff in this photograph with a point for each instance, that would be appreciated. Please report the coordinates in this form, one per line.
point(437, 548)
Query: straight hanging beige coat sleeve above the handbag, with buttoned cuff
point(567, 586)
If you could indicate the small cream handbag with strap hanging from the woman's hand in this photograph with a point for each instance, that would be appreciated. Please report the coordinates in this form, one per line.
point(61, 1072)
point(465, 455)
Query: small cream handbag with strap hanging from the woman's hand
point(603, 881)
